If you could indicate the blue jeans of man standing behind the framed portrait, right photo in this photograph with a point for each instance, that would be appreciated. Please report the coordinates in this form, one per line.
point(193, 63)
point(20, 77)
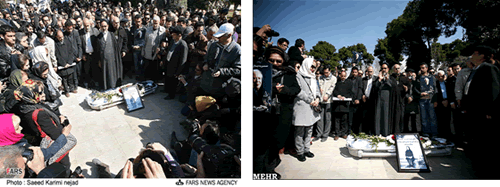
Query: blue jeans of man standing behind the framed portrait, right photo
point(429, 120)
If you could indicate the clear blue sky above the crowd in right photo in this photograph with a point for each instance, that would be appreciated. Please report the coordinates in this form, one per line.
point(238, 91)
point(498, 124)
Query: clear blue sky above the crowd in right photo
point(338, 22)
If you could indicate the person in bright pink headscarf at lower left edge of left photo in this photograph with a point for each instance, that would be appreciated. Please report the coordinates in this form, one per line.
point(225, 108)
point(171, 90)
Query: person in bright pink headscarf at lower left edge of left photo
point(10, 134)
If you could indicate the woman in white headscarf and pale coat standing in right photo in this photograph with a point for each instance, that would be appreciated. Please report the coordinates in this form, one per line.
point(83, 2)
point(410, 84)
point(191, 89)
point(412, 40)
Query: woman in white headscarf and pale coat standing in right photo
point(304, 114)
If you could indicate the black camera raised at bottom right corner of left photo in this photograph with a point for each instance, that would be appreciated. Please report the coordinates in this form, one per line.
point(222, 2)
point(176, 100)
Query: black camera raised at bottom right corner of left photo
point(218, 161)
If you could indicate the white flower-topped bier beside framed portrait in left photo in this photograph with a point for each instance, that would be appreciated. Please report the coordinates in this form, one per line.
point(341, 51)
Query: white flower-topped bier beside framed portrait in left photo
point(112, 97)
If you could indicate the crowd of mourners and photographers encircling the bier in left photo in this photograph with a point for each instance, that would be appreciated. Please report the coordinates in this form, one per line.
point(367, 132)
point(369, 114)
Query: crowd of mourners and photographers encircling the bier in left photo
point(48, 50)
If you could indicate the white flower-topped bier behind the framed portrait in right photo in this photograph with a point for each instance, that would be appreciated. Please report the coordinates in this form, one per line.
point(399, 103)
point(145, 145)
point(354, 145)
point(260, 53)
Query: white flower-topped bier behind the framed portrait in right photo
point(363, 145)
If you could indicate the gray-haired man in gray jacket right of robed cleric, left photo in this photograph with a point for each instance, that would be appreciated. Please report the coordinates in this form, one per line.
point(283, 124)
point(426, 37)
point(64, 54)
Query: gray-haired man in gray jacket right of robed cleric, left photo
point(155, 38)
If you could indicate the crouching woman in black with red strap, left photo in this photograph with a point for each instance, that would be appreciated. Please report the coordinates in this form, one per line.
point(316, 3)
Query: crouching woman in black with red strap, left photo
point(41, 124)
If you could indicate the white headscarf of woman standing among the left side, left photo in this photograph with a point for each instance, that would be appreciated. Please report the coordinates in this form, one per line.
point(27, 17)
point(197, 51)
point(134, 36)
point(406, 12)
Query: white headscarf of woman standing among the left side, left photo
point(40, 54)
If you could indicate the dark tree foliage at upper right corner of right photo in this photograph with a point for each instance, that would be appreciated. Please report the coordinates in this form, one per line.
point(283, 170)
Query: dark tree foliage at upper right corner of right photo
point(414, 32)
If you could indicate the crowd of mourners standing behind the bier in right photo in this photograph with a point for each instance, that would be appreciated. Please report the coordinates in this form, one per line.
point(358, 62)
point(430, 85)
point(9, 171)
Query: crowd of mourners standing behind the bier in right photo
point(299, 100)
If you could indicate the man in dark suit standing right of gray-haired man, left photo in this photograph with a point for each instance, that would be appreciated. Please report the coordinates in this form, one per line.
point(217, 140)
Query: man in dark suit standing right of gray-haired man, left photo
point(174, 61)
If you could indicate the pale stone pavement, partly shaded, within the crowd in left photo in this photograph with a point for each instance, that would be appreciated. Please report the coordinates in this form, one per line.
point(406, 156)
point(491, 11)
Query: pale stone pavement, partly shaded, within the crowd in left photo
point(113, 135)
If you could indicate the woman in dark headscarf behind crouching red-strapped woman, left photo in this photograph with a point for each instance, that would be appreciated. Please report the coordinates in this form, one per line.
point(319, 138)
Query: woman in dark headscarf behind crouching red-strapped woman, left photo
point(40, 72)
